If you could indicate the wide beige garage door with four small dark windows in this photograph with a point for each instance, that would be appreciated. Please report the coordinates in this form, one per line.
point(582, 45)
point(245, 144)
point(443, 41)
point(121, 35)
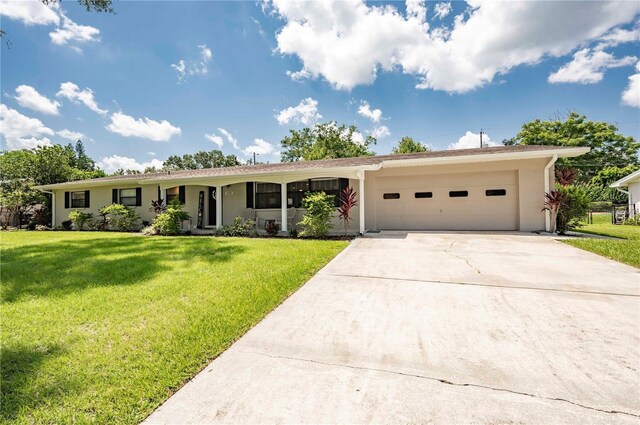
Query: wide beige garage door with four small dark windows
point(469, 201)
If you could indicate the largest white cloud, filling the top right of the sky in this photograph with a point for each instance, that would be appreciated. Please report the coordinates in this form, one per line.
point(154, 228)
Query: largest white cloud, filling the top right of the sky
point(349, 42)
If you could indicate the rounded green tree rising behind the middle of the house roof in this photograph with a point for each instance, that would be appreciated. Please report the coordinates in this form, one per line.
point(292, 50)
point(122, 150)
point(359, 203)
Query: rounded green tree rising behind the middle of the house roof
point(325, 141)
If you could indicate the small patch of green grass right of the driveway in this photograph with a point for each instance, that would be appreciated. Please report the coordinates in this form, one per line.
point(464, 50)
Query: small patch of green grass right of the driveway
point(626, 251)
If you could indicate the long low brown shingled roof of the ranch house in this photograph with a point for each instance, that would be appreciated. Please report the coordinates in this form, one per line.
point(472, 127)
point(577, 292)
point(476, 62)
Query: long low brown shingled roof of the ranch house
point(325, 163)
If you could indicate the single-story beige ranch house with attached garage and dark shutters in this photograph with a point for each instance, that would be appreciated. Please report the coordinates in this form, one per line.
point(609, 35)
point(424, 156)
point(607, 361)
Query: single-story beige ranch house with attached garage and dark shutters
point(495, 188)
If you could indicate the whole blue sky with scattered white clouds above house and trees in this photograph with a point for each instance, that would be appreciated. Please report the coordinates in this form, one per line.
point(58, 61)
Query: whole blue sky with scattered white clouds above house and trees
point(435, 71)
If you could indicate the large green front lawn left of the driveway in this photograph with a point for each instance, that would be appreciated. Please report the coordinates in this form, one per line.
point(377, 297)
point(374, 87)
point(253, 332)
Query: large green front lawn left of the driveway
point(103, 327)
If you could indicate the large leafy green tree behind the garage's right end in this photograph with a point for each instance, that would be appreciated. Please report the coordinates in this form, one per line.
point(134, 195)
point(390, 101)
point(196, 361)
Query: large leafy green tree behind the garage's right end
point(609, 148)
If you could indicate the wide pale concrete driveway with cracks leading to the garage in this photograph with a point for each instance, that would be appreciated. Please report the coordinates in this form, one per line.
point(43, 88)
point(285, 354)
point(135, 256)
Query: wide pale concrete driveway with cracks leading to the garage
point(436, 328)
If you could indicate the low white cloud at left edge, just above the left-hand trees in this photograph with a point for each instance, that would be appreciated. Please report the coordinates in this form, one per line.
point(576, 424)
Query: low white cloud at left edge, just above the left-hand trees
point(22, 132)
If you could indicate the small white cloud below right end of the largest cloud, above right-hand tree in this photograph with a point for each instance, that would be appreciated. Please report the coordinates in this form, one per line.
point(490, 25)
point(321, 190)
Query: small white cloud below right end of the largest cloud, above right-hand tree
point(588, 66)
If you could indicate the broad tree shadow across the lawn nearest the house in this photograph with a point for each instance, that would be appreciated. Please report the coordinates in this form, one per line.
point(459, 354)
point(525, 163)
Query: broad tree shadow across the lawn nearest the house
point(62, 267)
